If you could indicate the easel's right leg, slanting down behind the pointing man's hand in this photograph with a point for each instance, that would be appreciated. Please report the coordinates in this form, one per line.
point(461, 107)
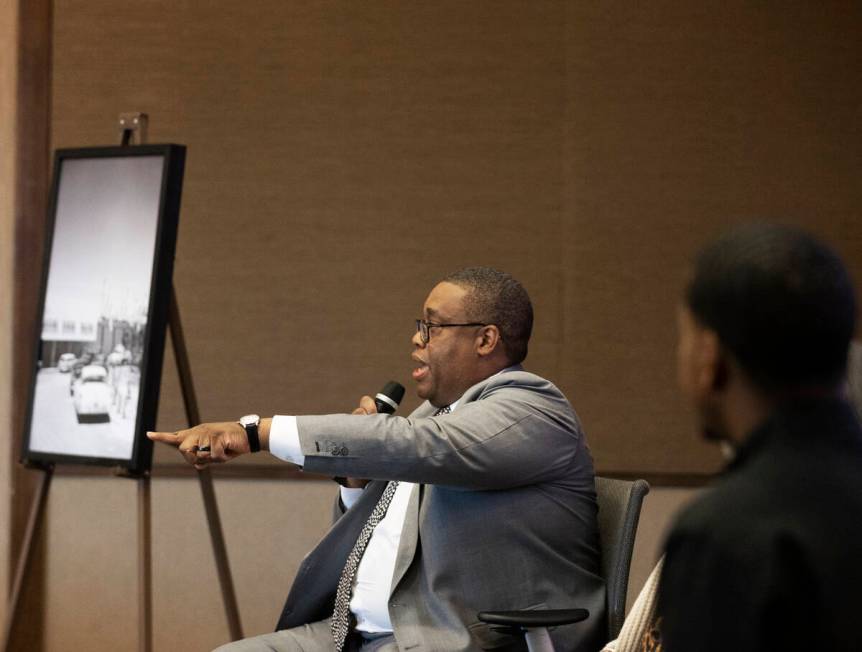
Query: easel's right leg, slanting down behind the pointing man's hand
point(190, 401)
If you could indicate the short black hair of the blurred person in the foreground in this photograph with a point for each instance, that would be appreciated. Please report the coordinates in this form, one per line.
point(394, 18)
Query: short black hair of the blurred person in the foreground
point(780, 301)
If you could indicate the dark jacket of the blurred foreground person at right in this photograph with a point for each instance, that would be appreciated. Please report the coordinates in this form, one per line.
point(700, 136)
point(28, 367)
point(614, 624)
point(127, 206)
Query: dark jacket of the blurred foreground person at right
point(771, 559)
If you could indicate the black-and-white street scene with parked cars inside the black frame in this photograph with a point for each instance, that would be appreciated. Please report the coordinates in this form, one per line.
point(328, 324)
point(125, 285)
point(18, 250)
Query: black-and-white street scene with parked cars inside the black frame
point(96, 307)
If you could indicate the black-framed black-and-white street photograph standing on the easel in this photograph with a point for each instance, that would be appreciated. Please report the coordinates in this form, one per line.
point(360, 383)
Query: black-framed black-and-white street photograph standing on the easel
point(112, 229)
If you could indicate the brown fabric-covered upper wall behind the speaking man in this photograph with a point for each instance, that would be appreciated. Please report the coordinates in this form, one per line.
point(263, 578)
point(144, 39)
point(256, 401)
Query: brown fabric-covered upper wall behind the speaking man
point(343, 156)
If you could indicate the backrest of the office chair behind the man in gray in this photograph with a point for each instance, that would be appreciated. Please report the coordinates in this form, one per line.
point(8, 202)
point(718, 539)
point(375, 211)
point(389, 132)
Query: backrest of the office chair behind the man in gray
point(620, 504)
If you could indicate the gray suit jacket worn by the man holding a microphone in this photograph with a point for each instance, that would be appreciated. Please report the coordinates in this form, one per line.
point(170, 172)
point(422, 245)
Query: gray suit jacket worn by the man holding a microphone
point(504, 517)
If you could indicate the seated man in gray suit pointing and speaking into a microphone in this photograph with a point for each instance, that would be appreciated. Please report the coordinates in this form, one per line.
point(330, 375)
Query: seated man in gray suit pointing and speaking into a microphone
point(495, 507)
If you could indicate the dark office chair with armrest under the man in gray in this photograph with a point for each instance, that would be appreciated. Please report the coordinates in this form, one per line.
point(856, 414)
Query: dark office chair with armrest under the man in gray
point(620, 504)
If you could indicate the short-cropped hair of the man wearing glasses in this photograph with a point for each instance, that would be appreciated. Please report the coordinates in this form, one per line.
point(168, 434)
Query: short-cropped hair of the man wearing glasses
point(495, 297)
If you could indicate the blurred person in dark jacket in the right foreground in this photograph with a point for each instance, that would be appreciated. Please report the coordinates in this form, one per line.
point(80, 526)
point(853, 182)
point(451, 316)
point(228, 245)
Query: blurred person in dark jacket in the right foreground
point(771, 558)
